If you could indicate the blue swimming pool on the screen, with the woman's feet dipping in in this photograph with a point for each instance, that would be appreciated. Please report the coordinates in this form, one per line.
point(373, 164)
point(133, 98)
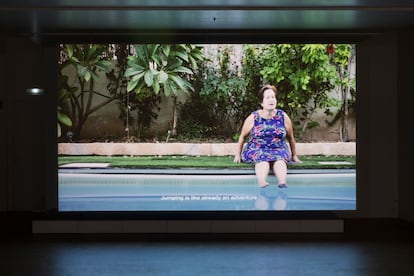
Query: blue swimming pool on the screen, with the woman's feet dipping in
point(194, 191)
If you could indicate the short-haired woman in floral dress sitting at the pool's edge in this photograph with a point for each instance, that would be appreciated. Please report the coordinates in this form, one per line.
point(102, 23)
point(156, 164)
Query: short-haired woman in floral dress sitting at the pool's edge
point(269, 129)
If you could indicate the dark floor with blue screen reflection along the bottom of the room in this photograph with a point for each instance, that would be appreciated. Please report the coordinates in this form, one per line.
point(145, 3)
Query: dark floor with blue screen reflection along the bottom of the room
point(120, 255)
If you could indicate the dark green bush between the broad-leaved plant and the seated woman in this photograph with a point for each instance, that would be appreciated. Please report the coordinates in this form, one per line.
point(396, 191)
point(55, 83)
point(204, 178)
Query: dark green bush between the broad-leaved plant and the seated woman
point(218, 95)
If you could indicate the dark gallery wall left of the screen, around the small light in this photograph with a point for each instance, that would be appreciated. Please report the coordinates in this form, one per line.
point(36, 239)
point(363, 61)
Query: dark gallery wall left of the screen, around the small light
point(29, 124)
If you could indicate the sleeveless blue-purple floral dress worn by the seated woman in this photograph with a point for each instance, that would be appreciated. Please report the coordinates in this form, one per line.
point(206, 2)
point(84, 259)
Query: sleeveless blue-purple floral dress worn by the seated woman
point(267, 141)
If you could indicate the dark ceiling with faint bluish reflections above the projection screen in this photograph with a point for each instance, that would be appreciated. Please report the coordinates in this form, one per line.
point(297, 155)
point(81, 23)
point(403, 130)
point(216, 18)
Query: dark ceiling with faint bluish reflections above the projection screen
point(233, 20)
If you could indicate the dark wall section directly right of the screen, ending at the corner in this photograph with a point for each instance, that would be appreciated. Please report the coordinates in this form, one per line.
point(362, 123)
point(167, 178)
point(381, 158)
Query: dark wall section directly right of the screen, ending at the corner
point(377, 163)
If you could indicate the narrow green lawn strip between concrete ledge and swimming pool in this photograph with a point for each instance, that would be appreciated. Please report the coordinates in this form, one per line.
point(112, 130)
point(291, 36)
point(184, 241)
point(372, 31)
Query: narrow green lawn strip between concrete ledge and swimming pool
point(309, 162)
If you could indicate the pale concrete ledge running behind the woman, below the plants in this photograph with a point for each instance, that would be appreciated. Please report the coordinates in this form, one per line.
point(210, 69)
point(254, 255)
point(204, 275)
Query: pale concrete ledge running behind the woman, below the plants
point(213, 149)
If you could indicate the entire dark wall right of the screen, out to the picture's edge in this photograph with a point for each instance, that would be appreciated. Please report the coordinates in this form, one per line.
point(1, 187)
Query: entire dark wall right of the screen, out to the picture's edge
point(384, 127)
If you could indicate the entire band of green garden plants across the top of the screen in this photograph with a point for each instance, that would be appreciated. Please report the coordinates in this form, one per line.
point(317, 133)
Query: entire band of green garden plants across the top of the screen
point(220, 95)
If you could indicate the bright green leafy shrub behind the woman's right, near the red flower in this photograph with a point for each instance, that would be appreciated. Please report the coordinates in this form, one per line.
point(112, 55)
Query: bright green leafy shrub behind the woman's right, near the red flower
point(303, 74)
